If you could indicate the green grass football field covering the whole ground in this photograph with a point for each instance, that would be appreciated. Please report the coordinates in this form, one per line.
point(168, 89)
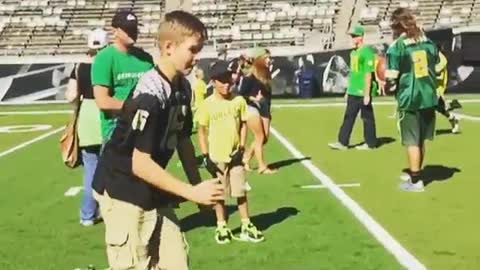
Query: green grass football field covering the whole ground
point(306, 229)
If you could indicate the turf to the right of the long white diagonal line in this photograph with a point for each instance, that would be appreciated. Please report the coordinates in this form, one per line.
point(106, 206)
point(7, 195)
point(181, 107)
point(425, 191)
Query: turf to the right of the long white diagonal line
point(437, 226)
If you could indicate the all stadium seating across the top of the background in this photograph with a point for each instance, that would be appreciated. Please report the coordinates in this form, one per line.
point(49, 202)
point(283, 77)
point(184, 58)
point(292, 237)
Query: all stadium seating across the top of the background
point(59, 27)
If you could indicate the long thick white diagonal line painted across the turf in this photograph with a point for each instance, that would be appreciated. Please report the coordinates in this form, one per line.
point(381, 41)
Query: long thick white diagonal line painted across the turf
point(402, 255)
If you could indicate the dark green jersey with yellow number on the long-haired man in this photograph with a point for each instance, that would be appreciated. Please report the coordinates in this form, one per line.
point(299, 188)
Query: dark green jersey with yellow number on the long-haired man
point(414, 64)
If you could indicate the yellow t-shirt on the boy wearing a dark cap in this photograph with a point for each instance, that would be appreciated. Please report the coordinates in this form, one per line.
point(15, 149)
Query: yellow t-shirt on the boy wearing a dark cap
point(223, 118)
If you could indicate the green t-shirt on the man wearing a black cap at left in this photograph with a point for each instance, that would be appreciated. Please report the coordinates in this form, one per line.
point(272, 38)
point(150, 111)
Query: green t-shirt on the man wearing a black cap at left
point(119, 72)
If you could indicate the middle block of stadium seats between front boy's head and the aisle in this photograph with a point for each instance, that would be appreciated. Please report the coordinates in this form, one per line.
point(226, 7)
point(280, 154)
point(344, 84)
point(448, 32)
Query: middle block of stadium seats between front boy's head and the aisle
point(247, 23)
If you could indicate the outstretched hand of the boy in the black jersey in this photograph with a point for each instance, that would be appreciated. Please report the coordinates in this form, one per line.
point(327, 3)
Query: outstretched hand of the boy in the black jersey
point(207, 193)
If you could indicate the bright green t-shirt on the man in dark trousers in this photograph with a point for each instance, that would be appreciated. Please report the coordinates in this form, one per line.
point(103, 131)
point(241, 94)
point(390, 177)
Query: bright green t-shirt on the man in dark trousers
point(362, 62)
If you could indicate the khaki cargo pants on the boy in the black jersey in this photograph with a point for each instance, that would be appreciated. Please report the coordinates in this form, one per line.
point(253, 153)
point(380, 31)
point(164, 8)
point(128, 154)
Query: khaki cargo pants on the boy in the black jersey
point(142, 240)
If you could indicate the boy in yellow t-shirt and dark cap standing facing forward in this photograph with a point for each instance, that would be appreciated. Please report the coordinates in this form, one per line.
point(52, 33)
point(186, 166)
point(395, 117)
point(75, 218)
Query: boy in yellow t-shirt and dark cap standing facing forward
point(222, 134)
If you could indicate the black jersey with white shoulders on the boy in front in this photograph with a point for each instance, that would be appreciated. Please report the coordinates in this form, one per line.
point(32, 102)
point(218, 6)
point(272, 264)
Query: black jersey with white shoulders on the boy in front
point(152, 121)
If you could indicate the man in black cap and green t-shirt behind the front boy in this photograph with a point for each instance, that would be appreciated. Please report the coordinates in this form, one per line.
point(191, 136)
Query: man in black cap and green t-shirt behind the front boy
point(117, 69)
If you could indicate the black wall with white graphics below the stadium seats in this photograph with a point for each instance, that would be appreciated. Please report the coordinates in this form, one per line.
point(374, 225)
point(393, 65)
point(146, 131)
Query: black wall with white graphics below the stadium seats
point(29, 83)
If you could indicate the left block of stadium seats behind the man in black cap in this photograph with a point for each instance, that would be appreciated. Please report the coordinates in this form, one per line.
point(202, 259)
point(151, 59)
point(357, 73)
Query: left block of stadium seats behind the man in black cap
point(59, 27)
